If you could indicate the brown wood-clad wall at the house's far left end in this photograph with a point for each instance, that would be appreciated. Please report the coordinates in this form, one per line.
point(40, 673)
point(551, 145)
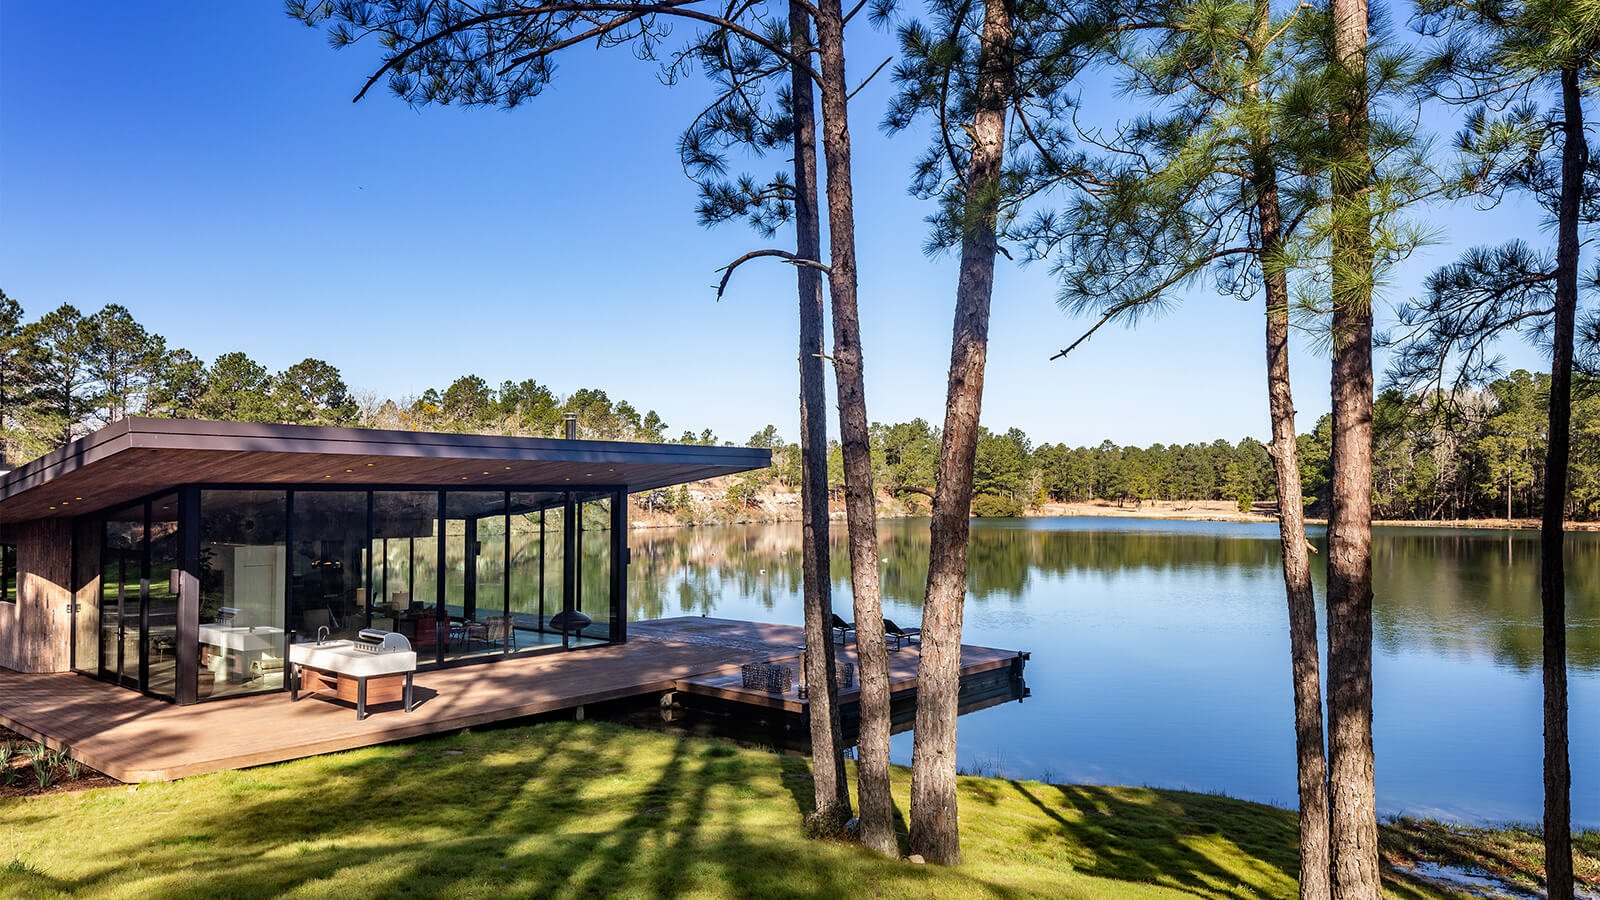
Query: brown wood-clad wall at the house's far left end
point(36, 632)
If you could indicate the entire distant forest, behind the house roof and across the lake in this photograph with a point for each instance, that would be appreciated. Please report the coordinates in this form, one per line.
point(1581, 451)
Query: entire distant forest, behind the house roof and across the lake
point(1474, 454)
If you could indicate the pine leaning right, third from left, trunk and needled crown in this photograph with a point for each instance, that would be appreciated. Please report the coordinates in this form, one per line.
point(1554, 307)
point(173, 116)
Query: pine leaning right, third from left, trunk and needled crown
point(993, 79)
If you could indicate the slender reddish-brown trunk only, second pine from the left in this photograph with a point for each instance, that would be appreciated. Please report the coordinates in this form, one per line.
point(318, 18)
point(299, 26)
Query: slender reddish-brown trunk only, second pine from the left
point(873, 761)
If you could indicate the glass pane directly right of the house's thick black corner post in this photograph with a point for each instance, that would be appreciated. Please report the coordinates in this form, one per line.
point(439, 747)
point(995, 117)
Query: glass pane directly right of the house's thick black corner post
point(244, 576)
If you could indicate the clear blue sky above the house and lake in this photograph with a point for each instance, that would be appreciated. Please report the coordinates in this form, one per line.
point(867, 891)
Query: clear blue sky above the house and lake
point(204, 166)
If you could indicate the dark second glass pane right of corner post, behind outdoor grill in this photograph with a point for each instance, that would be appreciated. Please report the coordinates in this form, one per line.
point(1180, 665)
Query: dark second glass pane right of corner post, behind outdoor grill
point(329, 565)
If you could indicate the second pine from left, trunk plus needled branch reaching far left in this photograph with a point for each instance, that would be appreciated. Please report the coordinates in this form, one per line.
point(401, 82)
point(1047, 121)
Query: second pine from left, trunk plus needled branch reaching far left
point(502, 55)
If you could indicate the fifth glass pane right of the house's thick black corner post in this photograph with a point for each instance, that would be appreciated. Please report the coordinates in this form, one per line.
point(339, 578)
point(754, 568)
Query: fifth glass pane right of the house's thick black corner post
point(537, 568)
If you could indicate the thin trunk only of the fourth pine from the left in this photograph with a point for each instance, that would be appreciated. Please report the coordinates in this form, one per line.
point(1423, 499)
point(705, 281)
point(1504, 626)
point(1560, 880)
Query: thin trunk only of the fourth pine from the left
point(1311, 761)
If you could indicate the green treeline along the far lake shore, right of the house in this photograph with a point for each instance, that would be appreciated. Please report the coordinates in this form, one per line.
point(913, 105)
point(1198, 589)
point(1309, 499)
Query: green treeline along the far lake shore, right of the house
point(1476, 454)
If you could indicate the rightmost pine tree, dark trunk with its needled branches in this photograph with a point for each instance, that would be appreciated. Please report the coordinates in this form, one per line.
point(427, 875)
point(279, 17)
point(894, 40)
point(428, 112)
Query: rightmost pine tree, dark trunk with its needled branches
point(1497, 58)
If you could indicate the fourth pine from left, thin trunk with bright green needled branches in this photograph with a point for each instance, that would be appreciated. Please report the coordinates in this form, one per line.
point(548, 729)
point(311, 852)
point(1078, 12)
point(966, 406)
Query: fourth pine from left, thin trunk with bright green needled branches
point(1220, 180)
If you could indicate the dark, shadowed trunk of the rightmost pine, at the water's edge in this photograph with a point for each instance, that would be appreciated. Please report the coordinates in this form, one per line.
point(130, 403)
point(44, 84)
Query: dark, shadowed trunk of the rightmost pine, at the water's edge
point(1553, 536)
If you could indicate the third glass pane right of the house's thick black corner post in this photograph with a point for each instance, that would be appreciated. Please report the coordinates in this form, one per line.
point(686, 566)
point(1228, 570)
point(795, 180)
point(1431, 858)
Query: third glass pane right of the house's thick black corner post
point(406, 556)
